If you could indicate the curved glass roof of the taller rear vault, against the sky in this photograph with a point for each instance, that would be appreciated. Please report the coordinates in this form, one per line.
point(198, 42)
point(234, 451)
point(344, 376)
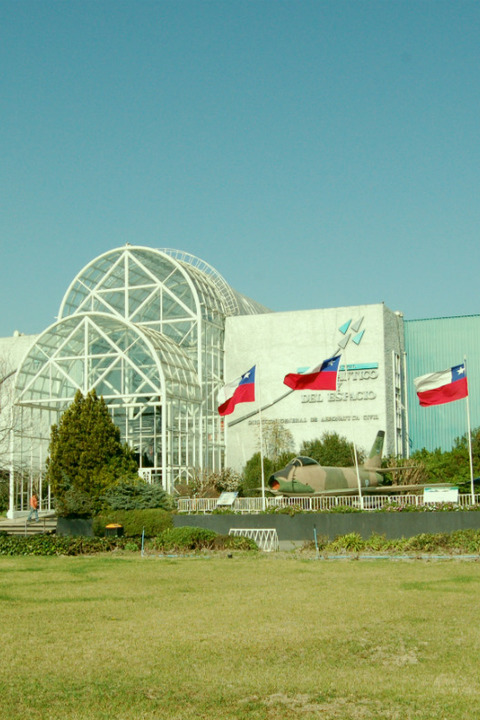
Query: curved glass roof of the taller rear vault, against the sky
point(158, 288)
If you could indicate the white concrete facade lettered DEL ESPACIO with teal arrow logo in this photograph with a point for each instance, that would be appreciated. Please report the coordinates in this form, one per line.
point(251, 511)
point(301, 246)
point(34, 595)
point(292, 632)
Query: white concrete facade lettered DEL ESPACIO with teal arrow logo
point(369, 397)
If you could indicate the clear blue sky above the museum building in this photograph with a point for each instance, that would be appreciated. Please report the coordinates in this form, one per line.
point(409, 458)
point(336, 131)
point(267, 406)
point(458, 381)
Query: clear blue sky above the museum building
point(316, 153)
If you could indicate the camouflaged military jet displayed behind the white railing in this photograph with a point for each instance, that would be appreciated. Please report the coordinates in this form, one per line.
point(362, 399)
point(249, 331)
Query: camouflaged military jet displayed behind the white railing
point(304, 476)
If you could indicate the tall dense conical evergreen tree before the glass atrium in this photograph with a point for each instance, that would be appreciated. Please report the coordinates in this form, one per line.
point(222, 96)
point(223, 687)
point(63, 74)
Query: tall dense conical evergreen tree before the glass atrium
point(86, 456)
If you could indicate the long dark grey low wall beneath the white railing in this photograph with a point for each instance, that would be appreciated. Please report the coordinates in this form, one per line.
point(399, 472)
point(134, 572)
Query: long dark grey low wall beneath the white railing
point(301, 527)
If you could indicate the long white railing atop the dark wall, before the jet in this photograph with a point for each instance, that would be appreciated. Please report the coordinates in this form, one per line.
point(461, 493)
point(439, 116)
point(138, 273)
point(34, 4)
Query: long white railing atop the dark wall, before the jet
point(311, 504)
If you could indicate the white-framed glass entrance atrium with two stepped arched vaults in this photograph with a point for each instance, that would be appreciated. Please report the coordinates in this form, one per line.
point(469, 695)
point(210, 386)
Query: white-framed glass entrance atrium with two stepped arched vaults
point(145, 329)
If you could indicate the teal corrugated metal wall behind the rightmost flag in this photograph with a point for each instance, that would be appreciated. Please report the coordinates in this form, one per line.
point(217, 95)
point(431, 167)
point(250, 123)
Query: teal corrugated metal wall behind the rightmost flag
point(433, 345)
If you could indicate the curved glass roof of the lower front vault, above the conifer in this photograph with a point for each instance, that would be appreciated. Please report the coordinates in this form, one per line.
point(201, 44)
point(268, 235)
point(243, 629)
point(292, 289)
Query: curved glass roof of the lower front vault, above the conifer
point(120, 360)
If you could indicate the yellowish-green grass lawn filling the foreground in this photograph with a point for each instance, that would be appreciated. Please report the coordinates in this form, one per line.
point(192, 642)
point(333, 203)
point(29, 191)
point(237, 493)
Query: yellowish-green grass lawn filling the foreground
point(269, 637)
